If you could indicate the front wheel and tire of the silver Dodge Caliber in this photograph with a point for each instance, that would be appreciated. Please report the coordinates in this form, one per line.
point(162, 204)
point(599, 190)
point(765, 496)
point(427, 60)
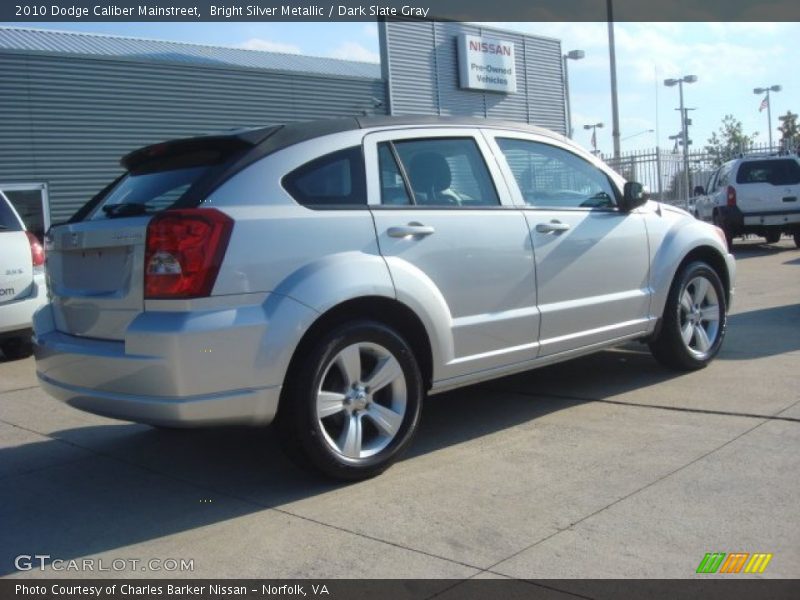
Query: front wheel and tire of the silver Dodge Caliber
point(687, 341)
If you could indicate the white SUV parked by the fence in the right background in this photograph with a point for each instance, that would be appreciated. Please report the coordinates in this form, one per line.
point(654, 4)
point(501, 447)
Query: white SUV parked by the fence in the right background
point(754, 195)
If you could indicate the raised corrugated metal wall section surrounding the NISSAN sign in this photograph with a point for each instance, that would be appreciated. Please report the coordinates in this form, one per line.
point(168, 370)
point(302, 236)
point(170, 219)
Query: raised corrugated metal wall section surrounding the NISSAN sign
point(414, 45)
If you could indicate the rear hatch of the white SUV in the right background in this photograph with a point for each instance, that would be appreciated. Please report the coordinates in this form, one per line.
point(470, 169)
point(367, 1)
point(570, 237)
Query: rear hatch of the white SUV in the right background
point(768, 185)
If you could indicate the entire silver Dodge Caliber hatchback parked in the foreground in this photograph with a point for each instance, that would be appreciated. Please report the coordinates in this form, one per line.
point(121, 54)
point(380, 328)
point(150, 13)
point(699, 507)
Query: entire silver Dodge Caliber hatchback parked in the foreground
point(329, 275)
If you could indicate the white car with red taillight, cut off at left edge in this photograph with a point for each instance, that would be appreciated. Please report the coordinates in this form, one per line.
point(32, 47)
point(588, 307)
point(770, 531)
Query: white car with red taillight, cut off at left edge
point(22, 282)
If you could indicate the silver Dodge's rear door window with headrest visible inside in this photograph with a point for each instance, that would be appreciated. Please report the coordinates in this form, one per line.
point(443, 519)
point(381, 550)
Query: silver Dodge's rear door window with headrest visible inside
point(447, 172)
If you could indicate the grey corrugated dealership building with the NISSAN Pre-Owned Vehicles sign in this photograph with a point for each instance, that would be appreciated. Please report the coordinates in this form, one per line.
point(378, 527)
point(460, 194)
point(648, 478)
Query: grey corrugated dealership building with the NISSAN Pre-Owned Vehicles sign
point(71, 104)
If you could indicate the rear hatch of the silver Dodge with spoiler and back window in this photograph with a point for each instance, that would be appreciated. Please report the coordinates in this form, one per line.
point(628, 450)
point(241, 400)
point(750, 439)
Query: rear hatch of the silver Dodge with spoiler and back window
point(95, 262)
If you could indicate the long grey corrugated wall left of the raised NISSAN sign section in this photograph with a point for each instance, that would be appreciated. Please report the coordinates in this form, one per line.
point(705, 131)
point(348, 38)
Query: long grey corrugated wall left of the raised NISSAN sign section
point(66, 121)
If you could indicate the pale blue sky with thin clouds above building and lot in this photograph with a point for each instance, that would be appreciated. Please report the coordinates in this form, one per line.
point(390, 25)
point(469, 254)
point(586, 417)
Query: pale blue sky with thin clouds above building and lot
point(729, 60)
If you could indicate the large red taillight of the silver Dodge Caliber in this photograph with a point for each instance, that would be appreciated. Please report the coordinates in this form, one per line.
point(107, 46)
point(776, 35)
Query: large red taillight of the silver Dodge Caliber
point(184, 251)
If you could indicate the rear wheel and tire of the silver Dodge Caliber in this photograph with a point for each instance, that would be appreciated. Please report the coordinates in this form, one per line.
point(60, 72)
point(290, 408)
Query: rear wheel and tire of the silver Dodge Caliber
point(330, 416)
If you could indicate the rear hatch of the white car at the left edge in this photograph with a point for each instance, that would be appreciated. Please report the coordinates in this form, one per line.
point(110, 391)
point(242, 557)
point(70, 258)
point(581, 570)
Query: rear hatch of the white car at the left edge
point(16, 265)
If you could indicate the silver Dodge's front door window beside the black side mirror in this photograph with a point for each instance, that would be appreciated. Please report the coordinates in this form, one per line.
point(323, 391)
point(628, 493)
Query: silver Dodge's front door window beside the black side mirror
point(551, 177)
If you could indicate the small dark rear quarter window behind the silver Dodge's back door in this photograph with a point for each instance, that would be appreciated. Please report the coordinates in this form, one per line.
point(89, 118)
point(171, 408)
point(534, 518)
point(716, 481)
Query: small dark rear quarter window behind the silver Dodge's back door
point(336, 179)
